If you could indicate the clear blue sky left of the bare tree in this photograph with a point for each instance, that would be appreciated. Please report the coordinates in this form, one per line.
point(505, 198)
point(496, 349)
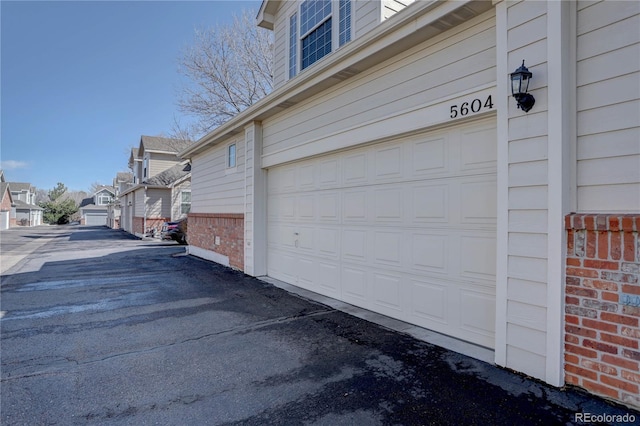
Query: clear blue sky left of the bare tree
point(82, 81)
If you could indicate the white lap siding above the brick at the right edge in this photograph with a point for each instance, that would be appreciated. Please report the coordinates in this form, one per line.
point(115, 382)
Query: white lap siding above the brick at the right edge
point(608, 151)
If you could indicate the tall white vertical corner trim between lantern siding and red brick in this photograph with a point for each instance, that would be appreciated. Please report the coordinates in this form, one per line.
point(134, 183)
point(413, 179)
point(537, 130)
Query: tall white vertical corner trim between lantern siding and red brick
point(561, 34)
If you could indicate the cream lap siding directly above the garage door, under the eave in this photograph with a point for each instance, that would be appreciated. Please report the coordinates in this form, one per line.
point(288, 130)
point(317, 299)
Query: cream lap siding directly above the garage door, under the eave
point(459, 60)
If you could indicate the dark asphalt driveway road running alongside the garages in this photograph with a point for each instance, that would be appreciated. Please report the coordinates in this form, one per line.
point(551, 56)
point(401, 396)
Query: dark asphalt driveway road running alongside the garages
point(101, 328)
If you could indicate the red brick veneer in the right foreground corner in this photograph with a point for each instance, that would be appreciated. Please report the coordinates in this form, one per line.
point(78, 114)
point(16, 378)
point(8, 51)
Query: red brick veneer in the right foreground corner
point(602, 309)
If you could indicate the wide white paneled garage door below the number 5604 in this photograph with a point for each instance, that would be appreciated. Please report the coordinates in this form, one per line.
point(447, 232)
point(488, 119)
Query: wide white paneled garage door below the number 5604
point(406, 228)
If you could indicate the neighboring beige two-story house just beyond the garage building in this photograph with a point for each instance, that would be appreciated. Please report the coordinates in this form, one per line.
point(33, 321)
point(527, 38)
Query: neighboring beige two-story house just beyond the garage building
point(161, 189)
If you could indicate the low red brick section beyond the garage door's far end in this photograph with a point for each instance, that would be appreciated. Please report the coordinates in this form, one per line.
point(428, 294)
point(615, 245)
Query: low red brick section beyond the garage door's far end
point(229, 227)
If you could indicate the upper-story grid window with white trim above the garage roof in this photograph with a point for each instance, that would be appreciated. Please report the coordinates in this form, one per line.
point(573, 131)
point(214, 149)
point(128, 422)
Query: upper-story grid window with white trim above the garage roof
point(313, 35)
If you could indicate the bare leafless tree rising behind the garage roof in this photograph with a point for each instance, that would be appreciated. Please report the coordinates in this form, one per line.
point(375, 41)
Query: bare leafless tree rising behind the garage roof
point(229, 67)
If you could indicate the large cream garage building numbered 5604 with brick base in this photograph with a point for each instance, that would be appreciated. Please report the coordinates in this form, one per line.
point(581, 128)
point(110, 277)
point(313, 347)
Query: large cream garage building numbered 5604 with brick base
point(392, 169)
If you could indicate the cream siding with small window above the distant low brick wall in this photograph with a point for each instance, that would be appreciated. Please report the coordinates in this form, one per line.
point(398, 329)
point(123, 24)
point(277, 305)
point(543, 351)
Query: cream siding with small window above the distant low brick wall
point(213, 189)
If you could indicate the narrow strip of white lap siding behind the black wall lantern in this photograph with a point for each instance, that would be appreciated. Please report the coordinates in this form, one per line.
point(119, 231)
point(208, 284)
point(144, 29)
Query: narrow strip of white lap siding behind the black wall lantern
point(526, 320)
